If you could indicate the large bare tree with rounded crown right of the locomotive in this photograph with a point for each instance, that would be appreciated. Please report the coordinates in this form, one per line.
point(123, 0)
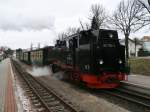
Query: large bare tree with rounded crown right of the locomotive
point(127, 18)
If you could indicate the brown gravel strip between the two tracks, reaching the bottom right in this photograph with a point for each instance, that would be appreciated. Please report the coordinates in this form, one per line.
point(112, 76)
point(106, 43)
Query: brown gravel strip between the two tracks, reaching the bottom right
point(82, 98)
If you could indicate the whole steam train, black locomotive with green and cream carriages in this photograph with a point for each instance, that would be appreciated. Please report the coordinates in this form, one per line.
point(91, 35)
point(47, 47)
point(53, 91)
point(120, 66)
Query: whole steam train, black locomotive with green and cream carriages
point(92, 57)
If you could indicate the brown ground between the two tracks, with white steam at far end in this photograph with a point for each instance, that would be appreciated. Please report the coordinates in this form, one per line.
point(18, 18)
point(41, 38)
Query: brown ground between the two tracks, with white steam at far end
point(80, 98)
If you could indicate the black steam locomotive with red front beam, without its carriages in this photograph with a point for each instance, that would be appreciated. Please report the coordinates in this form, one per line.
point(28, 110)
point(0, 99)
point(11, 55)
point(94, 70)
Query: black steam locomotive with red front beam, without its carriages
point(95, 58)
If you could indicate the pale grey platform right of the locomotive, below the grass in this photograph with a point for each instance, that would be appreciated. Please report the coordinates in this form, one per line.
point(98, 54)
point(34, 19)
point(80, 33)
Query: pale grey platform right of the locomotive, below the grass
point(140, 80)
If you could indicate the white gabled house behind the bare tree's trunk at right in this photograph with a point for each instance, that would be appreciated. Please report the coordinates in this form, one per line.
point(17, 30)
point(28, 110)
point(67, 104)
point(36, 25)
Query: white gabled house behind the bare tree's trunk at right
point(134, 46)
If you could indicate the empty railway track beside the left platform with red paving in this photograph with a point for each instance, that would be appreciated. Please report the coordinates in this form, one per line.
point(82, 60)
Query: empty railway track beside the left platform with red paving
point(42, 97)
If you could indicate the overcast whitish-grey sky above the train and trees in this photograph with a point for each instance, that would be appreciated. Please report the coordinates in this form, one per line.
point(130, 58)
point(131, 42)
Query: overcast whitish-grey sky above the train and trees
point(23, 22)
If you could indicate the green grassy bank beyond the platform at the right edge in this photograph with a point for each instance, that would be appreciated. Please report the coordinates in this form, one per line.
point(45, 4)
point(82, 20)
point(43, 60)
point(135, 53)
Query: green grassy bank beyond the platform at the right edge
point(140, 66)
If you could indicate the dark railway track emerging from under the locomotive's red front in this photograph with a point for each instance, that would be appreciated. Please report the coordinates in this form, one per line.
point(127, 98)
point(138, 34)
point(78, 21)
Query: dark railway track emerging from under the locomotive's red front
point(132, 96)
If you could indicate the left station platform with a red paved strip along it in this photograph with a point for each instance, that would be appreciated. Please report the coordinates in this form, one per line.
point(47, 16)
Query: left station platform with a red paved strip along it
point(7, 95)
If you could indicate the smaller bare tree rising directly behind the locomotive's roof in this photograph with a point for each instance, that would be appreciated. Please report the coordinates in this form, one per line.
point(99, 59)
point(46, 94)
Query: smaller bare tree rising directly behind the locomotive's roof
point(98, 16)
